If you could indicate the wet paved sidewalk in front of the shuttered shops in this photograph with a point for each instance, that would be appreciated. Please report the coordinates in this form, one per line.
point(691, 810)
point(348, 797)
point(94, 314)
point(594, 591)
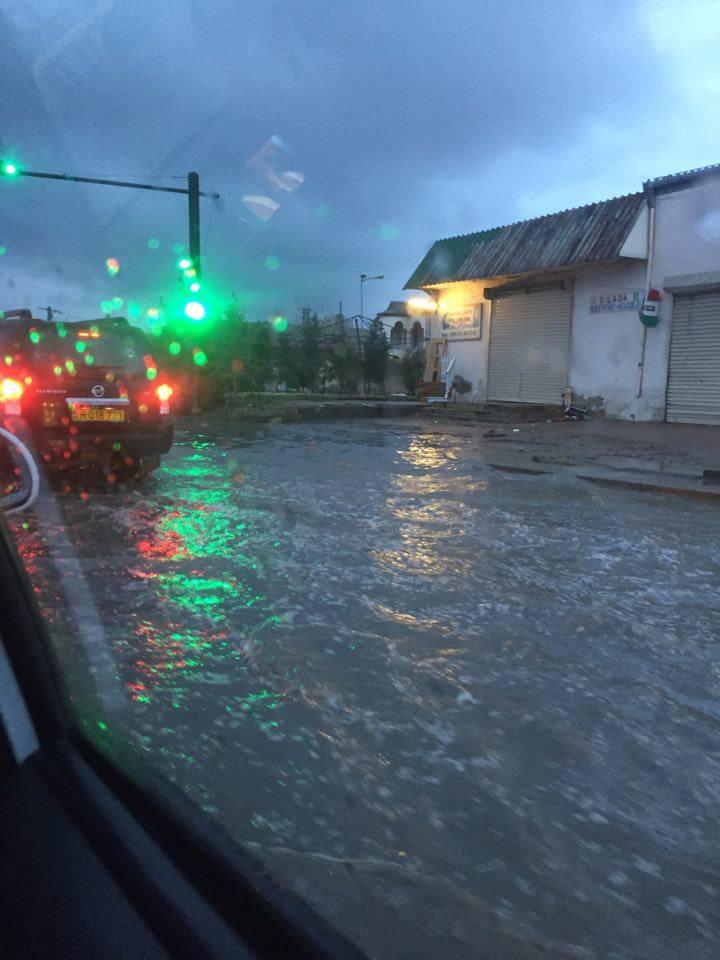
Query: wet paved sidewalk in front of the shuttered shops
point(668, 457)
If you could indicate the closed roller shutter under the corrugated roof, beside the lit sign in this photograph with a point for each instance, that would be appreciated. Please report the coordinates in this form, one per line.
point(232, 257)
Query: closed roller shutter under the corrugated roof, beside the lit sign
point(529, 334)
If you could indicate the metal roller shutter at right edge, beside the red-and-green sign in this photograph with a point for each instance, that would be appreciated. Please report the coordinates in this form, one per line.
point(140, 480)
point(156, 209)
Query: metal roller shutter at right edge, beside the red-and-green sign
point(694, 375)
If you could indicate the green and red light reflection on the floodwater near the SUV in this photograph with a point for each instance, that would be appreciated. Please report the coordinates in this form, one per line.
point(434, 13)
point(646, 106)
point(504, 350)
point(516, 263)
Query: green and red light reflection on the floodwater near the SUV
point(205, 627)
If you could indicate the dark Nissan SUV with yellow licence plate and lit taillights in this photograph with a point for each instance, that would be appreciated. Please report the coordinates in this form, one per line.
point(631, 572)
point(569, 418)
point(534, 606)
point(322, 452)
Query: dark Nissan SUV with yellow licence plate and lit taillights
point(87, 392)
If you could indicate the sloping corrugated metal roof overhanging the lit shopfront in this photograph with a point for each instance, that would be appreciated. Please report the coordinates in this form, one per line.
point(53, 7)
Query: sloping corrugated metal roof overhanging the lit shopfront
point(586, 234)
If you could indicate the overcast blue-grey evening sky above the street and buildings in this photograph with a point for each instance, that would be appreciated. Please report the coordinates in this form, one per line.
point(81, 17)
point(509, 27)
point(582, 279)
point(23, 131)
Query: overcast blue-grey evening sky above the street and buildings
point(409, 121)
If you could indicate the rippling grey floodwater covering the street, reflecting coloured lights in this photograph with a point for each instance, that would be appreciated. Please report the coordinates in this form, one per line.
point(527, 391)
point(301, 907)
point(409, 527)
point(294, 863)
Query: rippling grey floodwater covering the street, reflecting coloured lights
point(459, 711)
